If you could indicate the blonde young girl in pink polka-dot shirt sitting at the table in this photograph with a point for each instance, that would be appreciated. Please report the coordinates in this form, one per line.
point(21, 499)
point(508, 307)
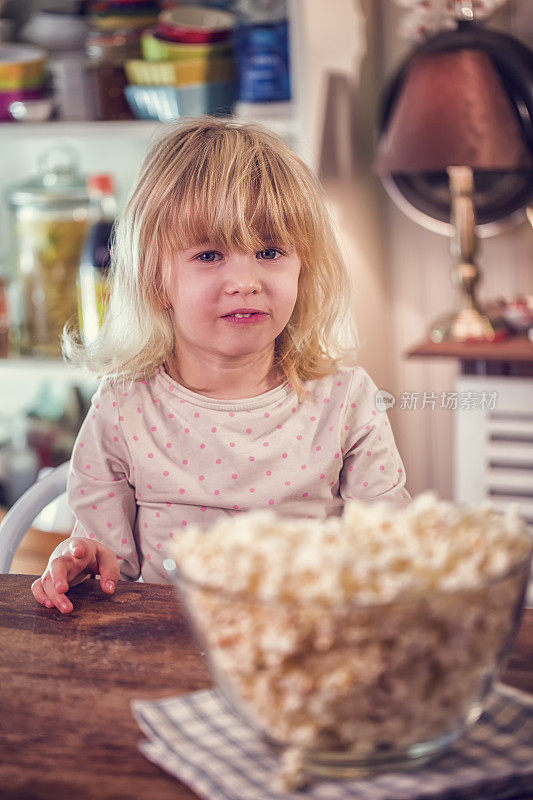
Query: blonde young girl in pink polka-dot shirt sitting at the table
point(226, 384)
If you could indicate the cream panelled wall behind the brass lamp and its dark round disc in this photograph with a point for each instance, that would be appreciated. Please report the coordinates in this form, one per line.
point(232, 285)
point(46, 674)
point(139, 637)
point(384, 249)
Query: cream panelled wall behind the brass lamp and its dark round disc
point(418, 268)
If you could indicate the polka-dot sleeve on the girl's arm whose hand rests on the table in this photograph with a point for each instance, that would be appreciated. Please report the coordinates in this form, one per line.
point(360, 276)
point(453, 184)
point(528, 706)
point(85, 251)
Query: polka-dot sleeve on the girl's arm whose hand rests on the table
point(100, 487)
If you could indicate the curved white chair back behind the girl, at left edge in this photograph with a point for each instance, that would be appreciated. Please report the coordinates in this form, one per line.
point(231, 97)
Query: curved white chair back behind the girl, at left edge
point(20, 516)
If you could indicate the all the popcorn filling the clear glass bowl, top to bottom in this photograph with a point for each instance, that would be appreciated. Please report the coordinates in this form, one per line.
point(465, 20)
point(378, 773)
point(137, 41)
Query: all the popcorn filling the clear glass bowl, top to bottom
point(365, 633)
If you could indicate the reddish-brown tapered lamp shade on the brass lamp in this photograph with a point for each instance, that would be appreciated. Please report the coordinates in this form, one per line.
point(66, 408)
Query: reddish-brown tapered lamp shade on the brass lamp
point(453, 110)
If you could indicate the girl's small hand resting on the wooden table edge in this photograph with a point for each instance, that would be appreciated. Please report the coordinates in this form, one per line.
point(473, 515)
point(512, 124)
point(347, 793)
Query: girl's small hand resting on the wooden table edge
point(69, 563)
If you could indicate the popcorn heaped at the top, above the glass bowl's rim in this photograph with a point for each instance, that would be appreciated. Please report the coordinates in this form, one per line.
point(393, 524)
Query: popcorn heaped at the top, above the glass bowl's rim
point(372, 554)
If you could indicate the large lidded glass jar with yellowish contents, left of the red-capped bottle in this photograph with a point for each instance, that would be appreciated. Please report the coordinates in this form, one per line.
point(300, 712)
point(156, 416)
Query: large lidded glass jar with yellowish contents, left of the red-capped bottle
point(50, 217)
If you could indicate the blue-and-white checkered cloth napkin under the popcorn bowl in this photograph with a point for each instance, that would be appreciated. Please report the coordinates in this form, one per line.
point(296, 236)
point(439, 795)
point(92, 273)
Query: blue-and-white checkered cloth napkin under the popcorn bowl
point(199, 739)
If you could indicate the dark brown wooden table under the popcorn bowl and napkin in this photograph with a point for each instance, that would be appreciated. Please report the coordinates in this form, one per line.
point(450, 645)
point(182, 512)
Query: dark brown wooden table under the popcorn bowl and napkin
point(66, 683)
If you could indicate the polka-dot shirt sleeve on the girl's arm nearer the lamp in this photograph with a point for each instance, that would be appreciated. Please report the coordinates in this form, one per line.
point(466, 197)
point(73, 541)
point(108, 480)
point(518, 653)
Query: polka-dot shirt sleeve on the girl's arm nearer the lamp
point(372, 468)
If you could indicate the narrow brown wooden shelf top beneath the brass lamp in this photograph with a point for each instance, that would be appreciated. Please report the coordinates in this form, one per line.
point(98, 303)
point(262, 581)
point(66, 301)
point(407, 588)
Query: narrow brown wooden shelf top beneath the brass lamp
point(515, 348)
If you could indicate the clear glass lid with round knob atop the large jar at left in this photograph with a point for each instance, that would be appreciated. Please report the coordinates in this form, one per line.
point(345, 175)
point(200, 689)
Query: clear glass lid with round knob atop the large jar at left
point(58, 180)
